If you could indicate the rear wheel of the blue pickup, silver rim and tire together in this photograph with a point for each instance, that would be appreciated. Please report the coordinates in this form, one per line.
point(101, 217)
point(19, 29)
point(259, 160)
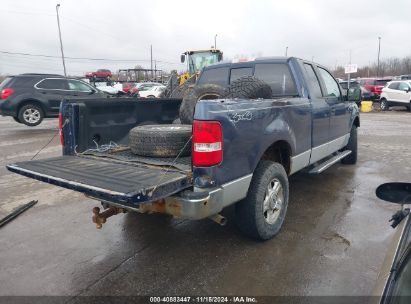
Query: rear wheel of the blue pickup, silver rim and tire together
point(261, 214)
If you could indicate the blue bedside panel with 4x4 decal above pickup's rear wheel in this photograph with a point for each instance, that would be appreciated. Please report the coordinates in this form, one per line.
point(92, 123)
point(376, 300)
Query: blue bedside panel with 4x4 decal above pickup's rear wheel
point(250, 127)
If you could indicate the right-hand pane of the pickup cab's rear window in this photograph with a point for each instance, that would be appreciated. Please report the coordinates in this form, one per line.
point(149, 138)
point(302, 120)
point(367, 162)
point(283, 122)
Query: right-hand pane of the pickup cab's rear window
point(278, 76)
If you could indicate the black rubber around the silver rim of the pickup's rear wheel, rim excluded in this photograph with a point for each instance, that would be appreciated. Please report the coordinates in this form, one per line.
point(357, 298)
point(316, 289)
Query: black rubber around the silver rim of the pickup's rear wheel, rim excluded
point(249, 212)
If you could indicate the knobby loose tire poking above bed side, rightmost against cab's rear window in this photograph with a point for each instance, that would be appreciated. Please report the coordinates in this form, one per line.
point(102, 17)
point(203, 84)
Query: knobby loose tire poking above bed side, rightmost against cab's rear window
point(249, 87)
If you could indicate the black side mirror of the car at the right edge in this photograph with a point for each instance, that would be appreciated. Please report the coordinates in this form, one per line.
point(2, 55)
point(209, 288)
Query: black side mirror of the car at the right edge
point(398, 193)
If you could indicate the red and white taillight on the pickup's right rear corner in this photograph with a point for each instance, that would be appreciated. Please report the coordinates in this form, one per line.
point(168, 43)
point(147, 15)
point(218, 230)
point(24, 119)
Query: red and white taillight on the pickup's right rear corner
point(207, 143)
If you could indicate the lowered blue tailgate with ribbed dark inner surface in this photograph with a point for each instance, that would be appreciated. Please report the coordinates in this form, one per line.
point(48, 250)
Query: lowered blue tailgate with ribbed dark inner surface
point(105, 179)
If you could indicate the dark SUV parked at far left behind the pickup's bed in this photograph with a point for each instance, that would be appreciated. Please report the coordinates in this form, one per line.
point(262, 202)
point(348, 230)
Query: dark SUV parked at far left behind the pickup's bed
point(29, 98)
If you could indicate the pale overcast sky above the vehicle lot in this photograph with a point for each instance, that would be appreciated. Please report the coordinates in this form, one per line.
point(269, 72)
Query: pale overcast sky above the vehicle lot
point(125, 29)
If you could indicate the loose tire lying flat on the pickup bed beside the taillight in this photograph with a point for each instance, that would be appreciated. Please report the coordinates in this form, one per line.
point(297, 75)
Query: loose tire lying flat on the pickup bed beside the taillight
point(161, 140)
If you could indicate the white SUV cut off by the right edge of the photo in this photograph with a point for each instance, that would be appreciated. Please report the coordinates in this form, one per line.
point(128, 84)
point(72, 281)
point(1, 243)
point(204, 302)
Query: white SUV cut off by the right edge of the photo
point(396, 93)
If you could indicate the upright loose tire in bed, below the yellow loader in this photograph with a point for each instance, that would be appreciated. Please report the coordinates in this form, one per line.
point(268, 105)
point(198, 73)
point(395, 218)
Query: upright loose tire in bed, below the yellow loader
point(202, 91)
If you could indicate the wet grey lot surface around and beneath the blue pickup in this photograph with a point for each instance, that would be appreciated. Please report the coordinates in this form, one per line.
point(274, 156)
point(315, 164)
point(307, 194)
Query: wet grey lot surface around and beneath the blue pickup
point(333, 243)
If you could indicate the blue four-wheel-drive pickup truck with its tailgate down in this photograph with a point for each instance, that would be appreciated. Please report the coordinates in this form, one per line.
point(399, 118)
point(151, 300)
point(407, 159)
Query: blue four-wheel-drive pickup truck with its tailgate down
point(243, 150)
